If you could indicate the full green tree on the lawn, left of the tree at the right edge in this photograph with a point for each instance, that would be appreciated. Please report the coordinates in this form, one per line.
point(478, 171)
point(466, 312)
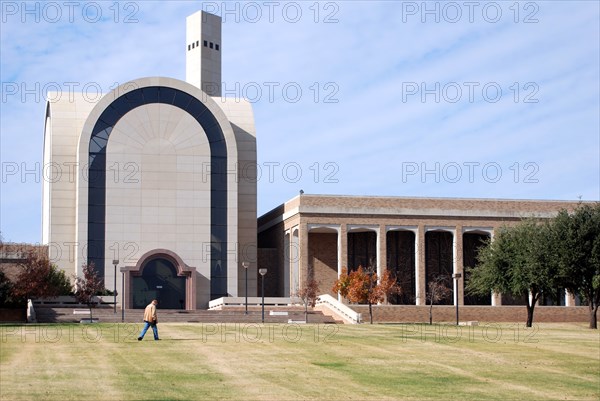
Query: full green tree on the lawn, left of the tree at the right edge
point(521, 261)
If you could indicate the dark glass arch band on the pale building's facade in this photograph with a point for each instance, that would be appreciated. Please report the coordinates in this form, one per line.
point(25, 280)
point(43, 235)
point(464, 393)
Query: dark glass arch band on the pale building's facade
point(97, 174)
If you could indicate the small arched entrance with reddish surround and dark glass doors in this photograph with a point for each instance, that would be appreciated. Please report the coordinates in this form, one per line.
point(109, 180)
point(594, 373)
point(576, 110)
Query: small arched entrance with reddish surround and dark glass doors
point(161, 275)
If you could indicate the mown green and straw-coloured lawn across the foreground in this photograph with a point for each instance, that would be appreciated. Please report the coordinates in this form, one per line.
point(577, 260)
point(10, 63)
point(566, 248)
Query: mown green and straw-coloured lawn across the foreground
point(300, 362)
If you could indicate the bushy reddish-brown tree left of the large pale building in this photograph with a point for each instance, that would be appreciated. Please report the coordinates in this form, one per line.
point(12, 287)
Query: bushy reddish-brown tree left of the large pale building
point(40, 279)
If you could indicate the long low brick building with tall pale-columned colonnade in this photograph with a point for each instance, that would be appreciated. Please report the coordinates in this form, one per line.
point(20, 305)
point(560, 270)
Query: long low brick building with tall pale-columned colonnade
point(419, 239)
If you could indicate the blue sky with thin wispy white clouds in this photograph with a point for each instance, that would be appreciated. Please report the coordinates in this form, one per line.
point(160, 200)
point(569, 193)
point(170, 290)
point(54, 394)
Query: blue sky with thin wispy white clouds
point(383, 98)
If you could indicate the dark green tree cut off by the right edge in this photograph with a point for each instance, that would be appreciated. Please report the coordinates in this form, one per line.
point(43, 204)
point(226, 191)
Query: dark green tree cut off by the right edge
point(578, 237)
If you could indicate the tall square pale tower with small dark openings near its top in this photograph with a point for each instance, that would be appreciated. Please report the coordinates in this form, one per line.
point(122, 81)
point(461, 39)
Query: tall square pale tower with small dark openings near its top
point(203, 54)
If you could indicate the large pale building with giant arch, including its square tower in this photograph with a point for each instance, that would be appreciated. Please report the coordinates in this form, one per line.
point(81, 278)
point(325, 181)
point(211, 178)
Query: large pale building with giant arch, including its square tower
point(161, 178)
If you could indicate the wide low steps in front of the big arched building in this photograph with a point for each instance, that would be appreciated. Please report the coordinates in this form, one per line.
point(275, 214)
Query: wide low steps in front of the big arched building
point(280, 314)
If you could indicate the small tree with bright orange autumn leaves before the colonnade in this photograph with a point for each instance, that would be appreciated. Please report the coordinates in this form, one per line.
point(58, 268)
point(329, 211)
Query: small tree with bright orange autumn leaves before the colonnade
point(363, 286)
